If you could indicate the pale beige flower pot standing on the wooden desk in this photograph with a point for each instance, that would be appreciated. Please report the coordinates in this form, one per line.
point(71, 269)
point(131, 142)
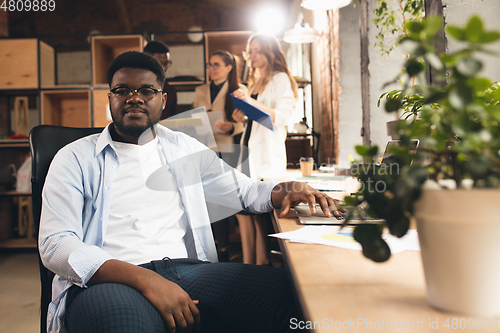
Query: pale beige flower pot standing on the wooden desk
point(459, 233)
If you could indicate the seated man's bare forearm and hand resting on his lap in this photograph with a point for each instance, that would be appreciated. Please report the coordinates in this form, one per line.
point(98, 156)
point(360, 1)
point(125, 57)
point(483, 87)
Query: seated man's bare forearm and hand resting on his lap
point(175, 306)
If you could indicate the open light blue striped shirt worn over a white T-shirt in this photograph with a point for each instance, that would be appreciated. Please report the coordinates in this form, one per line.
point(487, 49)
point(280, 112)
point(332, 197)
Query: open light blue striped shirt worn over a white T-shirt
point(76, 203)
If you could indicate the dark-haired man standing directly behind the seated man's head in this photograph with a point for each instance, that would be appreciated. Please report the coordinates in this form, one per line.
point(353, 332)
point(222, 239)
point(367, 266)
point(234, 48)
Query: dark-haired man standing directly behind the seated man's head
point(160, 52)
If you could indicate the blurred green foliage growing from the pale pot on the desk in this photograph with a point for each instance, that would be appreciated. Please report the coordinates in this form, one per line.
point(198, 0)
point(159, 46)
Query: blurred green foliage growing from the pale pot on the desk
point(458, 129)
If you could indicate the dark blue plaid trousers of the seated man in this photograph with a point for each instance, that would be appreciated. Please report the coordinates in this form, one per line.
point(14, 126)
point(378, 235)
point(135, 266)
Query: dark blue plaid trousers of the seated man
point(234, 298)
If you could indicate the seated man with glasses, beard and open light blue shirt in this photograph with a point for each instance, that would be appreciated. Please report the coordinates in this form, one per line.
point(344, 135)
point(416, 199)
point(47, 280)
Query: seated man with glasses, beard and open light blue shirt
point(132, 259)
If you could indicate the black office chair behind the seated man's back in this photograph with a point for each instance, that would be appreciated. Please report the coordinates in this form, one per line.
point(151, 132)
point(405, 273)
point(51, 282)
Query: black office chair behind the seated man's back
point(45, 142)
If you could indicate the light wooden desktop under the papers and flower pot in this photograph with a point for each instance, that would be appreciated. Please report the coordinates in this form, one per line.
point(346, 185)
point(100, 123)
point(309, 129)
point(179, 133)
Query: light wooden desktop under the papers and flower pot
point(339, 289)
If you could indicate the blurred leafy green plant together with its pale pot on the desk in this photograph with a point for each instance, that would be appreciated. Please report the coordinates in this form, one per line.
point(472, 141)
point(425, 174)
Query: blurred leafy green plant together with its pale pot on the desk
point(451, 185)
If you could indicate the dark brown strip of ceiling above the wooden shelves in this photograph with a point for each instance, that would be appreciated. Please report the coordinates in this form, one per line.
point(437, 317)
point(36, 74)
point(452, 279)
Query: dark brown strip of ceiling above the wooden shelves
point(138, 16)
